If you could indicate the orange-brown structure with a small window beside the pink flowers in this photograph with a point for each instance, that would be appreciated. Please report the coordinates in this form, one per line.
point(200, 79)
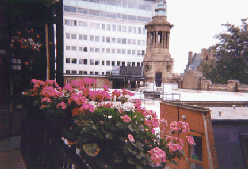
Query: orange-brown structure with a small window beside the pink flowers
point(203, 154)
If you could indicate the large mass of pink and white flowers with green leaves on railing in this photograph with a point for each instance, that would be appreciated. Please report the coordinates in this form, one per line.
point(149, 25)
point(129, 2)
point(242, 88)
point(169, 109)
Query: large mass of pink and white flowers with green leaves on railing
point(96, 116)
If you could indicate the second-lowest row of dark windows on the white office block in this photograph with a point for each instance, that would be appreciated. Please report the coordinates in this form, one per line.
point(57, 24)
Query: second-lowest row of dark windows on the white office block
point(103, 62)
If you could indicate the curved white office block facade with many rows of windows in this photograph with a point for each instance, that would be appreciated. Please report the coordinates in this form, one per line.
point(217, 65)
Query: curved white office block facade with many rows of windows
point(102, 35)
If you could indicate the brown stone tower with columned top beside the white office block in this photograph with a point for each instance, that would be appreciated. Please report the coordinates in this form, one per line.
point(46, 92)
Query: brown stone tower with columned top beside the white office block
point(158, 64)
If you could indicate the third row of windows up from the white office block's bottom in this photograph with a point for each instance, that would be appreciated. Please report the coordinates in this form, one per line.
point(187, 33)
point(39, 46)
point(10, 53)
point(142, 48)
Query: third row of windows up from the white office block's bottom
point(108, 50)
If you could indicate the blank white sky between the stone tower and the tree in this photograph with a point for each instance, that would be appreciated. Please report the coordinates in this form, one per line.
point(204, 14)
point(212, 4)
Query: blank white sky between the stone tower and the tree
point(196, 22)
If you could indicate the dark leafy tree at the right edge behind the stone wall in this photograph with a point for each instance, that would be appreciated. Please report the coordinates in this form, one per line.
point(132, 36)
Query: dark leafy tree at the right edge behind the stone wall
point(231, 55)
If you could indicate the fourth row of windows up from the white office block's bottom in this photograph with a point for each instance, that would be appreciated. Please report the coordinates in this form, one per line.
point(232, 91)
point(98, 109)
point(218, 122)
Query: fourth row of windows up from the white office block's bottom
point(105, 39)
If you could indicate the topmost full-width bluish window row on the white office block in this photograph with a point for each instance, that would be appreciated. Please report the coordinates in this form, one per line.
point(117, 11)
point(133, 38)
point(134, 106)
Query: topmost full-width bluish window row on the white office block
point(106, 14)
